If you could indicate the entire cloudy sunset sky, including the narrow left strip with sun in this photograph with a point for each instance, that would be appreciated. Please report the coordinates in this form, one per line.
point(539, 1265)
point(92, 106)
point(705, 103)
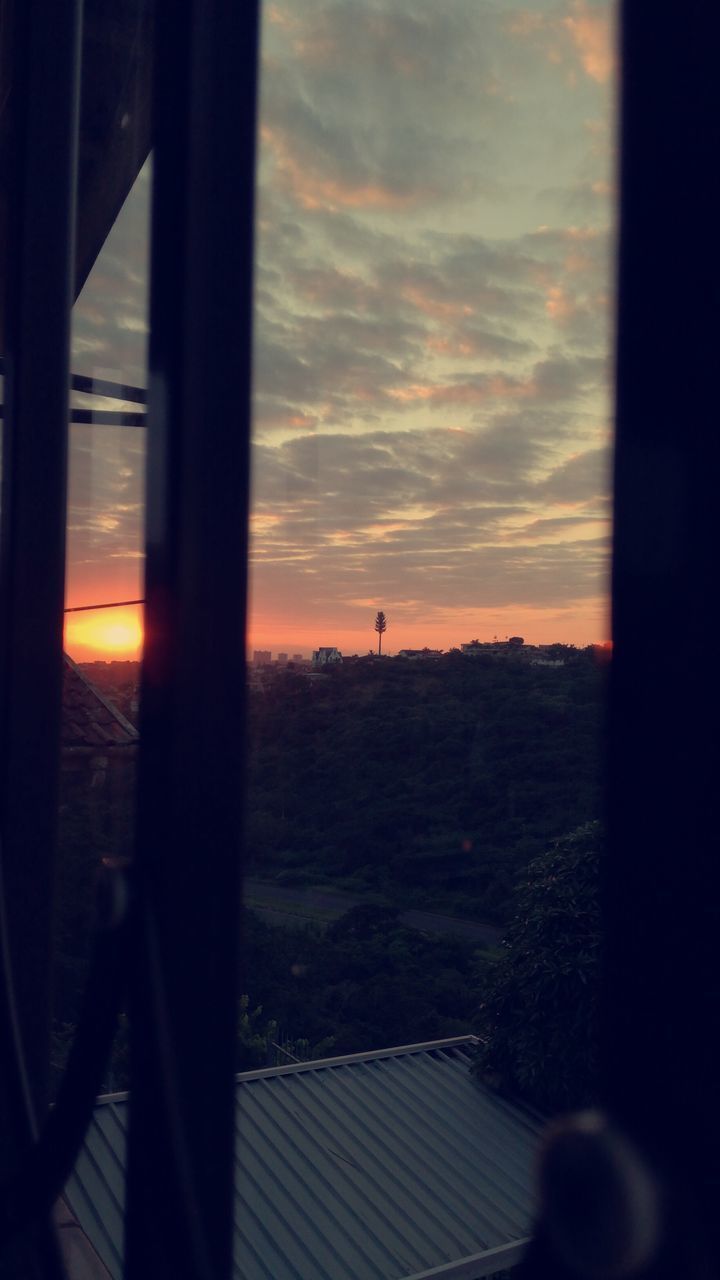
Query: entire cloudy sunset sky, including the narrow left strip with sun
point(432, 415)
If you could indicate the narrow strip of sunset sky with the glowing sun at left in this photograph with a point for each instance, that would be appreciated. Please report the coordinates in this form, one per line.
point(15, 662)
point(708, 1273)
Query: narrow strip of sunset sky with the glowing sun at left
point(107, 461)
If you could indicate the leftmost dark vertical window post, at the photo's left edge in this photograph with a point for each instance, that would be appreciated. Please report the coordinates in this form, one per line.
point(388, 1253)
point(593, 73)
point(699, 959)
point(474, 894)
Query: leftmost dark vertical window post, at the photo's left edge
point(43, 67)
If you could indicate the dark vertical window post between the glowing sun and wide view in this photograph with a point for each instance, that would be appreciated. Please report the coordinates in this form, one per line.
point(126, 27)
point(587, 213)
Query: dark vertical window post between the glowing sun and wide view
point(193, 700)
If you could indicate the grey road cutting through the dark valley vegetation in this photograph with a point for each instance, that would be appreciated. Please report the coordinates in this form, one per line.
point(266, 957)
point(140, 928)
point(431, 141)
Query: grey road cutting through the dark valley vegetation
point(285, 904)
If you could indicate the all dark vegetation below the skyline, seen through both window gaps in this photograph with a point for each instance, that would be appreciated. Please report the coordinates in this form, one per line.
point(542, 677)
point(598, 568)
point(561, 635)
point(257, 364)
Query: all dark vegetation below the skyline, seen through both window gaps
point(435, 783)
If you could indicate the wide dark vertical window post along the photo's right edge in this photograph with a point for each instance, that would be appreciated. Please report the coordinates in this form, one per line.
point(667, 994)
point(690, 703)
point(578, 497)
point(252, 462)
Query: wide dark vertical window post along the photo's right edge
point(663, 912)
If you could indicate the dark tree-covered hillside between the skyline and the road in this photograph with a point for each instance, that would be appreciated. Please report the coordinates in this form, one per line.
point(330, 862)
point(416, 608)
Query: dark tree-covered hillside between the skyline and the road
point(430, 783)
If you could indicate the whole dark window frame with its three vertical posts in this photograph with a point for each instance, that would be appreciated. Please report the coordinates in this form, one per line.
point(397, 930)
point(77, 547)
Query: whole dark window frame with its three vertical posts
point(660, 1075)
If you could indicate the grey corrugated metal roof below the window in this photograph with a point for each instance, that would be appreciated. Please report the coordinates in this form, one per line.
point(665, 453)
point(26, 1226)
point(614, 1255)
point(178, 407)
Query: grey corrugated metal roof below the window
point(373, 1168)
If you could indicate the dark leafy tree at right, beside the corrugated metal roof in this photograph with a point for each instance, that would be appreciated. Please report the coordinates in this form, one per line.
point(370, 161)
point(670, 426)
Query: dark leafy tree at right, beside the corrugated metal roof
point(539, 1018)
